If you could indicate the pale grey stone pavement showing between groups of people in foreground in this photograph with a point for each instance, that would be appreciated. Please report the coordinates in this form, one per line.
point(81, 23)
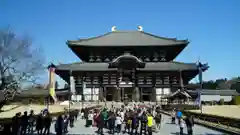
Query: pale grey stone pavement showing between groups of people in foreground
point(167, 129)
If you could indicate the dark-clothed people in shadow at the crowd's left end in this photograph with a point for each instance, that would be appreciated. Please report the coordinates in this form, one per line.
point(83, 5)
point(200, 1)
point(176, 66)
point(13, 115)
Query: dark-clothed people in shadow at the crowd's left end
point(22, 124)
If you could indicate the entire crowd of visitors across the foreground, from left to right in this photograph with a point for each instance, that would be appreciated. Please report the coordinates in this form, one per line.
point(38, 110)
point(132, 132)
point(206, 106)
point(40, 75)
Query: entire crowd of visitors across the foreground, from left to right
point(135, 120)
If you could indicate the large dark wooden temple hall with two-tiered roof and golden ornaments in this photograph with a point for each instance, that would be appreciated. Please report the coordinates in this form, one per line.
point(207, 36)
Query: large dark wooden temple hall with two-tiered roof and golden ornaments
point(133, 64)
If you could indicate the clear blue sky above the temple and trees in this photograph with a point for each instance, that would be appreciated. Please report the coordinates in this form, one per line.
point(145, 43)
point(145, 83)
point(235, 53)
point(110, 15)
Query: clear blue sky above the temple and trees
point(212, 26)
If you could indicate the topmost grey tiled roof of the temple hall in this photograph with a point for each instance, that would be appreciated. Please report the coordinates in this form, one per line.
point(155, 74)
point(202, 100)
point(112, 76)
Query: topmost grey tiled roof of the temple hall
point(127, 38)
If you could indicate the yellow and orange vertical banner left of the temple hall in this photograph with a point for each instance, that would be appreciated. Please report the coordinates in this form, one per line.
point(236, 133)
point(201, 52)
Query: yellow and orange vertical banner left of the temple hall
point(52, 83)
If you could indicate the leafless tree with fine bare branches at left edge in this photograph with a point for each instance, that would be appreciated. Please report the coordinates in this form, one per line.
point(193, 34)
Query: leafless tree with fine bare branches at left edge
point(20, 62)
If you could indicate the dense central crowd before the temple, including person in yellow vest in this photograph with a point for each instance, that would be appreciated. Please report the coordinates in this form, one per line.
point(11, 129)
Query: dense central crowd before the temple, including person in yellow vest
point(136, 120)
